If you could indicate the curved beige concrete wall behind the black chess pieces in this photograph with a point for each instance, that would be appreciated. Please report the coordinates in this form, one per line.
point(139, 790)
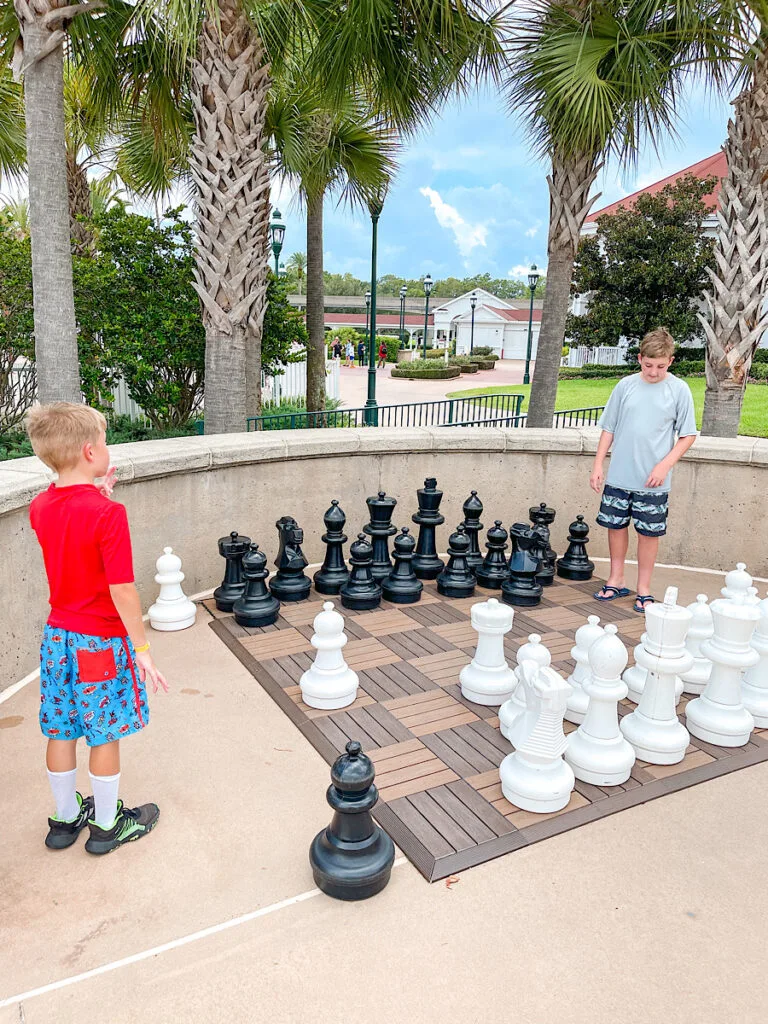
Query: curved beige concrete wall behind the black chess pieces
point(191, 491)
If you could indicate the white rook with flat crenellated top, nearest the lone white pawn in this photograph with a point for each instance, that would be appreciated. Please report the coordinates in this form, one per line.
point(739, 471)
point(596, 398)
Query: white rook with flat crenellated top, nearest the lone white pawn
point(488, 679)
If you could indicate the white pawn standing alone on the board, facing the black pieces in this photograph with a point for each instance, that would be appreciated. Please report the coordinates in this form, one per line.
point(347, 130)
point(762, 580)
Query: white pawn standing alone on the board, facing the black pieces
point(329, 682)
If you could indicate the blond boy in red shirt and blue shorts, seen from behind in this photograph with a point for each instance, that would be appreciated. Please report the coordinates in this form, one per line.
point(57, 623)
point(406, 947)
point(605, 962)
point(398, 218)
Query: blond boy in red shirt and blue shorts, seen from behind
point(95, 658)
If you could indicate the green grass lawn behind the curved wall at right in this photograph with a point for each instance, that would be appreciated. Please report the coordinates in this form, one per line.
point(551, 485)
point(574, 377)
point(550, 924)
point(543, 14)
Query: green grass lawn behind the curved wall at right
point(583, 395)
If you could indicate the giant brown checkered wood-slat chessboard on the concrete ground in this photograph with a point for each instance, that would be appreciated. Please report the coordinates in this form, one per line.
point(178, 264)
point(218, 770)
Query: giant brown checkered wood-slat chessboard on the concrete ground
point(438, 755)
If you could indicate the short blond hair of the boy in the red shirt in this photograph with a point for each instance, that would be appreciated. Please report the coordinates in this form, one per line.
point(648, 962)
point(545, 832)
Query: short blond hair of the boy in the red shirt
point(59, 432)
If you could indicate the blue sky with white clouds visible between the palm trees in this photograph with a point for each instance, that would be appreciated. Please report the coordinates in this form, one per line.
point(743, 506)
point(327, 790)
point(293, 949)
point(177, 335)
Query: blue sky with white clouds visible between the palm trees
point(471, 198)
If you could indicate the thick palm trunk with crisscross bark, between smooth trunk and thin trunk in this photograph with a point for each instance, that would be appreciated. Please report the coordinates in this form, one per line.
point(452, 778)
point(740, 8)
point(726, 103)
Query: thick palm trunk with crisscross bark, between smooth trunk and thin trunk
point(231, 82)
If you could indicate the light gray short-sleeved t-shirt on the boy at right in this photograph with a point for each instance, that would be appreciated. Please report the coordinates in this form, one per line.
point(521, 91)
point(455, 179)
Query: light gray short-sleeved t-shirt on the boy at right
point(645, 419)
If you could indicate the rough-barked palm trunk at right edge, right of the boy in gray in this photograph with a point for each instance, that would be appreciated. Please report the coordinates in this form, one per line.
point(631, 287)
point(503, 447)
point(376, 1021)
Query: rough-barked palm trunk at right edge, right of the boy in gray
point(737, 315)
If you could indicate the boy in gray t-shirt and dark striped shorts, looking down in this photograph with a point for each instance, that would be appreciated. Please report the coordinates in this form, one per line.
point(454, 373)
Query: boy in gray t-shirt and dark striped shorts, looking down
point(646, 414)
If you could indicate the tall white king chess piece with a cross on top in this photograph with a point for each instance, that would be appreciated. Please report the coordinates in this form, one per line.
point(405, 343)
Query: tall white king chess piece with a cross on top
point(654, 729)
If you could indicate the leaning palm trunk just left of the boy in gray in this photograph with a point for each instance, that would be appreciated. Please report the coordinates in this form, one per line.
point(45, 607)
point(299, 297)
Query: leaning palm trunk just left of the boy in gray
point(570, 186)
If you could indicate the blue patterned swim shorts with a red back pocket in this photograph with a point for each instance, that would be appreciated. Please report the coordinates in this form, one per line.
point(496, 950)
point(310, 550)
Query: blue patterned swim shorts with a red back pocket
point(90, 687)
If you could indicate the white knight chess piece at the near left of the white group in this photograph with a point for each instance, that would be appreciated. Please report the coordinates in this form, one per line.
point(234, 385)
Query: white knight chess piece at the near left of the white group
point(535, 776)
